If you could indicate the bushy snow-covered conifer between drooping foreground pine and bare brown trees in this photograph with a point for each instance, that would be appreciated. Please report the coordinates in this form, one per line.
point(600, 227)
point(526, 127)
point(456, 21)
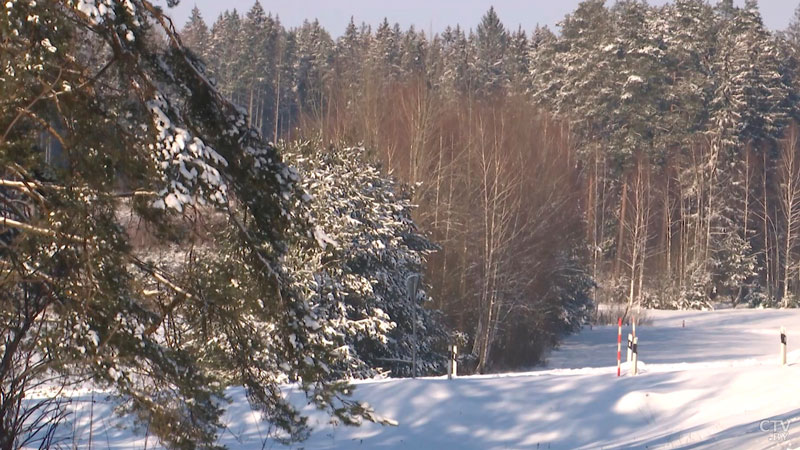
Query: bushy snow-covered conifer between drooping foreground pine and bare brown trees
point(368, 246)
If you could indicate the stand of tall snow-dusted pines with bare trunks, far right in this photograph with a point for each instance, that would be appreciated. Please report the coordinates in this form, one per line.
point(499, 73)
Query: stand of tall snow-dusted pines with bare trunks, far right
point(699, 94)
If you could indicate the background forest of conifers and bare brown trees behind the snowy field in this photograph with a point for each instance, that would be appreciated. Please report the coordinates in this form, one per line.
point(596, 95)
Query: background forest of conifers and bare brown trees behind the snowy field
point(643, 154)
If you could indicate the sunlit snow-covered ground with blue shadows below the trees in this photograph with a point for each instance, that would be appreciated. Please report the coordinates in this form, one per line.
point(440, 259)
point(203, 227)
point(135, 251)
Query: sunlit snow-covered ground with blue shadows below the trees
point(714, 384)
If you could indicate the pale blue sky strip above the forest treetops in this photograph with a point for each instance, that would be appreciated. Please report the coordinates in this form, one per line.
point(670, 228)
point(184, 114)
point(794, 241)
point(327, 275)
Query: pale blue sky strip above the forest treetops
point(427, 14)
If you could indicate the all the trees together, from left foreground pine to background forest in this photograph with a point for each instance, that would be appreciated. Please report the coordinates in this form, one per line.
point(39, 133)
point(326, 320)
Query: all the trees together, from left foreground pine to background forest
point(190, 207)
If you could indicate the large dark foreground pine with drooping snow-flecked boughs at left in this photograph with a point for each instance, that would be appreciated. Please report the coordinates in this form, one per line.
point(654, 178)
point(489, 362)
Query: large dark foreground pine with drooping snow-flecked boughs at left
point(109, 129)
